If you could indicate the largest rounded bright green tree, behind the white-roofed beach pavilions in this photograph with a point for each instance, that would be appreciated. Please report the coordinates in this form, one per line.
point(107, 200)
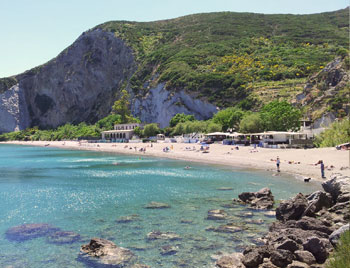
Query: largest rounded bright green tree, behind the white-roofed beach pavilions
point(280, 116)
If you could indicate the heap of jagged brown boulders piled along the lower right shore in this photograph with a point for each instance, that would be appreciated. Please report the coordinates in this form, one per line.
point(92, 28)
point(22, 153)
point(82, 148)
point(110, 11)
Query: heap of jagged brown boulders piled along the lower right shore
point(307, 229)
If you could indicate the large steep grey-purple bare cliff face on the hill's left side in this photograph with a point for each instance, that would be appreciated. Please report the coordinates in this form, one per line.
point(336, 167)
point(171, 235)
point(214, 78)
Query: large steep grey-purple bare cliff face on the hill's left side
point(78, 85)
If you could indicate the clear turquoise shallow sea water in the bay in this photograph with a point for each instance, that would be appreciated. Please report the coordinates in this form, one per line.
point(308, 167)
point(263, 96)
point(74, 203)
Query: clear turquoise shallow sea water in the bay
point(86, 193)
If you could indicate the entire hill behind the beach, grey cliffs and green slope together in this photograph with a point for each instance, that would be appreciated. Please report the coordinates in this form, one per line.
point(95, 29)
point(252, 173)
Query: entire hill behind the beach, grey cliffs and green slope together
point(191, 64)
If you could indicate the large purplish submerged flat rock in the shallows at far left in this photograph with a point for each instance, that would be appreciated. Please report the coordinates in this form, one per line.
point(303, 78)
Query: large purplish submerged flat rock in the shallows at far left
point(29, 231)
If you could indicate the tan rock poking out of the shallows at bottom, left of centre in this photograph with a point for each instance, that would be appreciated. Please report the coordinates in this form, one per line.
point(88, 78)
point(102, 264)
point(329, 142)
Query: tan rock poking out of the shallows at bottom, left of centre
point(104, 253)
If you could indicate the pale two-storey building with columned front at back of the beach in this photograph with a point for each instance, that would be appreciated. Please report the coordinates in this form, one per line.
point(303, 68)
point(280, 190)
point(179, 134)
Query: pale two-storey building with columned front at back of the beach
point(121, 132)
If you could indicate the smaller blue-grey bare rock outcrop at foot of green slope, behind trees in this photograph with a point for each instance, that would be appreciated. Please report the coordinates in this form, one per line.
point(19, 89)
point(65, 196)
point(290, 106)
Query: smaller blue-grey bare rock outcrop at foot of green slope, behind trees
point(160, 105)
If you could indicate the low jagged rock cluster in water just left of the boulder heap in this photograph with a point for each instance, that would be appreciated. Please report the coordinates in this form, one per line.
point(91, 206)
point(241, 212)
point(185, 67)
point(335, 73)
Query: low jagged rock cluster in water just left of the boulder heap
point(261, 199)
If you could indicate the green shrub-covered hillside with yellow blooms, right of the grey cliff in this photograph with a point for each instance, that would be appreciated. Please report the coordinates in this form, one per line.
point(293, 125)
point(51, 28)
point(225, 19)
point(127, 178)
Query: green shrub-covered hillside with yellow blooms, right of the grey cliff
point(225, 57)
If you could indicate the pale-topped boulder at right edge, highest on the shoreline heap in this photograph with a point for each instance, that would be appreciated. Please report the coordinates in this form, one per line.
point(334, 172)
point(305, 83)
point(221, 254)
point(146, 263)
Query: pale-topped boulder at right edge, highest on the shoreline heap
point(337, 185)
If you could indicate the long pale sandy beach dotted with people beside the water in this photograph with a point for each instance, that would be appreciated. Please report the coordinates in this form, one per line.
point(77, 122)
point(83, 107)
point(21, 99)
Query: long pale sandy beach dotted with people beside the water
point(299, 162)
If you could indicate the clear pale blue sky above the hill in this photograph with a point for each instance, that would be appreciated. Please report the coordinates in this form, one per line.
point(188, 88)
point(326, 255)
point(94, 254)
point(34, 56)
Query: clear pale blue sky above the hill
point(34, 31)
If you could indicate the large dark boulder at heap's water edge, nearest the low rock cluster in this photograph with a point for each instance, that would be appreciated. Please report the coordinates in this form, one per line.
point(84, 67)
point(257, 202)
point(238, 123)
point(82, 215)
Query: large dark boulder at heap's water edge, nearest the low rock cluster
point(292, 209)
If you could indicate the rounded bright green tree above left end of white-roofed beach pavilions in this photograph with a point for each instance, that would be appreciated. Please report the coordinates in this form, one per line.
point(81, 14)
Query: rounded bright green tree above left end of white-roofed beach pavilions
point(228, 118)
